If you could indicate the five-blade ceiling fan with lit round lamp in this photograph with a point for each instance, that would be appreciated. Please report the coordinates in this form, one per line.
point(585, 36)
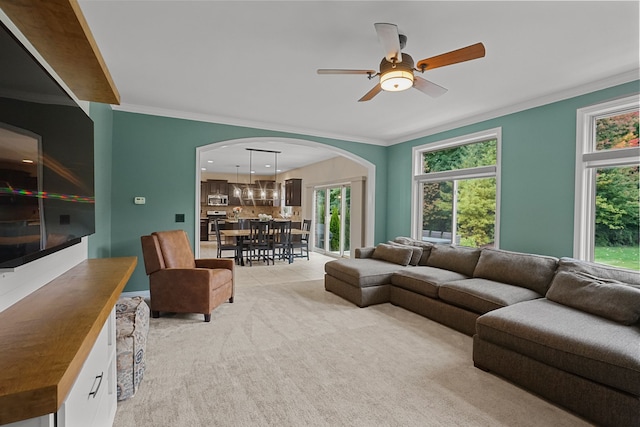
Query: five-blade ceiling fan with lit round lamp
point(397, 69)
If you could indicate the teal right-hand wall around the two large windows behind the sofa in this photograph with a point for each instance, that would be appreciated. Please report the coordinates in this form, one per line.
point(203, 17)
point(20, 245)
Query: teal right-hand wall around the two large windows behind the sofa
point(537, 177)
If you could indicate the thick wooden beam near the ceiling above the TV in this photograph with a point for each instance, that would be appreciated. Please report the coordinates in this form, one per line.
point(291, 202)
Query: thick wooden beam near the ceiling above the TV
point(59, 32)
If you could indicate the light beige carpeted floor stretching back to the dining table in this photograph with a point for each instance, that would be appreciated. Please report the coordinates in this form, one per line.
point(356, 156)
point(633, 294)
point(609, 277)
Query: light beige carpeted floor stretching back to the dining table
point(292, 354)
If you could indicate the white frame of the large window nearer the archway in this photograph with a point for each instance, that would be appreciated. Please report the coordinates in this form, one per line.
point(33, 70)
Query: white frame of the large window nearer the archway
point(419, 177)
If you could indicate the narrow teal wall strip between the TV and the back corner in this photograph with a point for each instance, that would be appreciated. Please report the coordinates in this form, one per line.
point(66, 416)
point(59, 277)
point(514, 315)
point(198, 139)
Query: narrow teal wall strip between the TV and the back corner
point(100, 242)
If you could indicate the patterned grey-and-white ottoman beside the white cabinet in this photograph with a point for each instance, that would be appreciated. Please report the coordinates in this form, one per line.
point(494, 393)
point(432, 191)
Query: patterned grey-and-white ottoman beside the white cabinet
point(132, 327)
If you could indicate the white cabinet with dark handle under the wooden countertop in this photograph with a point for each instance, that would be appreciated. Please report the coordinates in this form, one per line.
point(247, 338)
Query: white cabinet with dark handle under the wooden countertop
point(92, 401)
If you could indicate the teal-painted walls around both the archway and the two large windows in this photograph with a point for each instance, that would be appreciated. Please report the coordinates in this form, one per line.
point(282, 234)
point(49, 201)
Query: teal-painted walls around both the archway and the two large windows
point(155, 157)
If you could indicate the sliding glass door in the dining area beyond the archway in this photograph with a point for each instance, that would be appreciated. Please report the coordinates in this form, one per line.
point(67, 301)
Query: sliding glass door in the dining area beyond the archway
point(332, 219)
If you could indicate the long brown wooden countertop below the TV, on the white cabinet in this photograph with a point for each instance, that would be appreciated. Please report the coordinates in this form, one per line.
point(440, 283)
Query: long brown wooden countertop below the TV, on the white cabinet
point(47, 336)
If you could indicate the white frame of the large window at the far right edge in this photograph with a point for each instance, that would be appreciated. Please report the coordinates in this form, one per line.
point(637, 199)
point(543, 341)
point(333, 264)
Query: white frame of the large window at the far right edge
point(588, 159)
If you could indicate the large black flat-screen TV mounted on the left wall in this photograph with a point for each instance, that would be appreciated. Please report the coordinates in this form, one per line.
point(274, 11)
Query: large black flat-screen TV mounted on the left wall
point(46, 160)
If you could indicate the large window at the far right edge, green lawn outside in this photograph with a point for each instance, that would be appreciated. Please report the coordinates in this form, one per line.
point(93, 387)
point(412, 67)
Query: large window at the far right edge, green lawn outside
point(607, 184)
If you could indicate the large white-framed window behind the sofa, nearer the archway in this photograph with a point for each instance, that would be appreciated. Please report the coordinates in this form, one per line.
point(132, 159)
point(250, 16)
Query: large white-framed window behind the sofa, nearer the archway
point(455, 190)
